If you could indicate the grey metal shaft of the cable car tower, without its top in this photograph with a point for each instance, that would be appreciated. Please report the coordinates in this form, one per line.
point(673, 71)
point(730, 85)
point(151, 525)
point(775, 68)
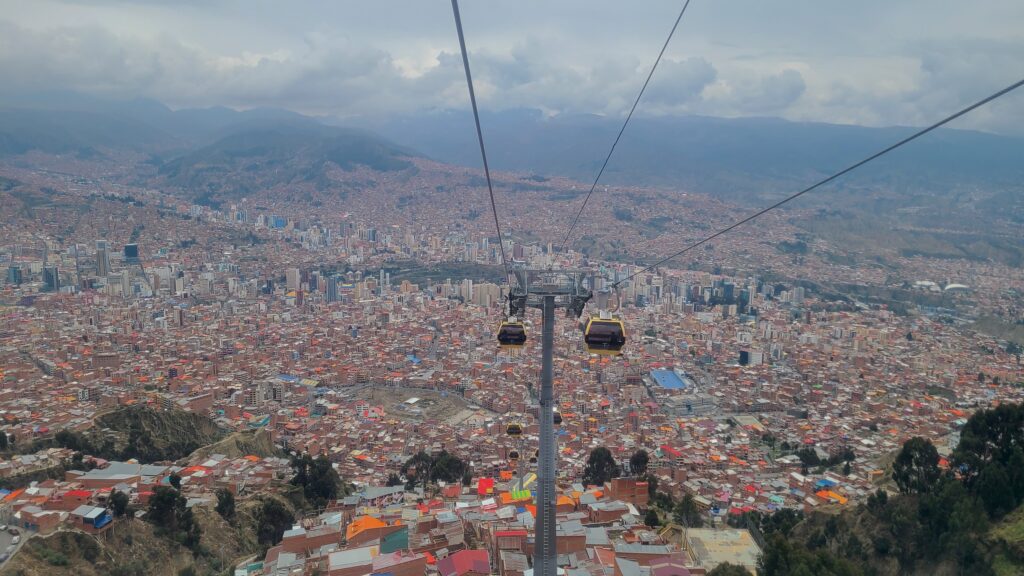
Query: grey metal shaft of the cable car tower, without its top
point(544, 531)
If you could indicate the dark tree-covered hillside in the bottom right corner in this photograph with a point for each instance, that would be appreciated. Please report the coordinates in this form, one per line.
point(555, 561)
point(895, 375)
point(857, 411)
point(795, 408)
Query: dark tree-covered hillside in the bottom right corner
point(938, 523)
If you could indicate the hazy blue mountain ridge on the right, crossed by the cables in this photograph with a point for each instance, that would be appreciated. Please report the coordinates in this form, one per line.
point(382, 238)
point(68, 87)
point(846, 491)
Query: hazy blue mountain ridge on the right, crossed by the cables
point(742, 159)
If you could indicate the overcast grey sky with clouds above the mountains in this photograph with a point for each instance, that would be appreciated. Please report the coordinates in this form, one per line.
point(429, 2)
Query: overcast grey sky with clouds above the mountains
point(870, 62)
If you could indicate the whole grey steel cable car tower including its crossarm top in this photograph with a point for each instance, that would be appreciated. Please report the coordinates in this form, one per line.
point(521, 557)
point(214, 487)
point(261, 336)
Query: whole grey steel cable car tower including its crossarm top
point(547, 291)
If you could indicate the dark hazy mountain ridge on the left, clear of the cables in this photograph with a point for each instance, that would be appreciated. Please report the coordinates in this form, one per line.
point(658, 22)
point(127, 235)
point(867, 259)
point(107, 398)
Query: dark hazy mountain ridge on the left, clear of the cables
point(208, 154)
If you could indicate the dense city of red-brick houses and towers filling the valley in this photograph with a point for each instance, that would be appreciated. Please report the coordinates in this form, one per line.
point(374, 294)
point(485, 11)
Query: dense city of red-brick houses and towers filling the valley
point(346, 335)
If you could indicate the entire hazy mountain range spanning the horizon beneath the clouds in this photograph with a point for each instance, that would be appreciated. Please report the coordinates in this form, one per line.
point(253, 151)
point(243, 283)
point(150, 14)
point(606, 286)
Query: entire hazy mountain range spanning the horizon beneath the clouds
point(744, 160)
